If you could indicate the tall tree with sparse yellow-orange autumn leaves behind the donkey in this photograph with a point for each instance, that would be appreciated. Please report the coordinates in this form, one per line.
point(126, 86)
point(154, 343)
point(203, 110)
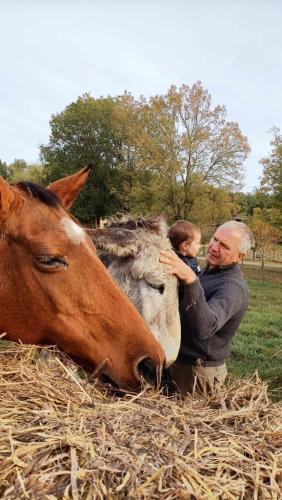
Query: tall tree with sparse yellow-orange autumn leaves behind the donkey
point(187, 144)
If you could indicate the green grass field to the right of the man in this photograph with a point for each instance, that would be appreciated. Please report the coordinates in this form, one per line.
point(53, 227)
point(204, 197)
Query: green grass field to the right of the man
point(258, 343)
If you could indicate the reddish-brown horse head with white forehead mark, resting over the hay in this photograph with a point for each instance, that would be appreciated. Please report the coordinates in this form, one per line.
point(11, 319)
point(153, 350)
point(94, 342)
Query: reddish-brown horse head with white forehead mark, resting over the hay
point(54, 289)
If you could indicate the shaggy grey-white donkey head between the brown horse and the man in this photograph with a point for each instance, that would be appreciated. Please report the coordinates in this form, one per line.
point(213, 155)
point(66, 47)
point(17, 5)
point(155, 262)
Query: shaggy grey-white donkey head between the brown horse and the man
point(130, 249)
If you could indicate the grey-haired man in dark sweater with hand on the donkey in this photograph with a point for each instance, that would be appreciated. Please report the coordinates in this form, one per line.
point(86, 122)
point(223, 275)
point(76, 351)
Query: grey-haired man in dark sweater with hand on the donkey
point(212, 308)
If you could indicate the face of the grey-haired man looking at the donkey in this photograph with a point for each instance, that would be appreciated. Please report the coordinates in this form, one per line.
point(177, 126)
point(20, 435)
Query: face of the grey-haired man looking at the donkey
point(223, 248)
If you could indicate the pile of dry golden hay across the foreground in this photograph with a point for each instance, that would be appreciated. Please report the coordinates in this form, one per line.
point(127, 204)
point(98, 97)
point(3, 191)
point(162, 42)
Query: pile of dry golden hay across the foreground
point(60, 438)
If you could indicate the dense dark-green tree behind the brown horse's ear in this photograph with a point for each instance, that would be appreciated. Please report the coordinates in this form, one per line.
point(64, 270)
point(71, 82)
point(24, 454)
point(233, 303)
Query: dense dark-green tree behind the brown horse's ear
point(89, 131)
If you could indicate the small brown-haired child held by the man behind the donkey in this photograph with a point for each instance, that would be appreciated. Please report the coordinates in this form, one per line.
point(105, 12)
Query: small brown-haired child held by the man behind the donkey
point(185, 238)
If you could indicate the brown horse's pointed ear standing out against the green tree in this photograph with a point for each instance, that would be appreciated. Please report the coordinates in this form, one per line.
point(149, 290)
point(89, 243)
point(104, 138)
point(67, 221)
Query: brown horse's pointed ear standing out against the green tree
point(68, 187)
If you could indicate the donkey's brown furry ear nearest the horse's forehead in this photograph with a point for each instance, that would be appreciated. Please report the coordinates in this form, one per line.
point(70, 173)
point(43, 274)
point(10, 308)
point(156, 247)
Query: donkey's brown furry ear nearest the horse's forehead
point(116, 241)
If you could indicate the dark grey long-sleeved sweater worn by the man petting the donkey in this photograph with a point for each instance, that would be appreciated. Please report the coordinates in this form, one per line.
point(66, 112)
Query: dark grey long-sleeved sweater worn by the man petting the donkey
point(211, 312)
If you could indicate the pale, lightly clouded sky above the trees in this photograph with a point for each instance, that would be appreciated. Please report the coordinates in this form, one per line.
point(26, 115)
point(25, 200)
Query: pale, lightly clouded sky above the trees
point(54, 51)
